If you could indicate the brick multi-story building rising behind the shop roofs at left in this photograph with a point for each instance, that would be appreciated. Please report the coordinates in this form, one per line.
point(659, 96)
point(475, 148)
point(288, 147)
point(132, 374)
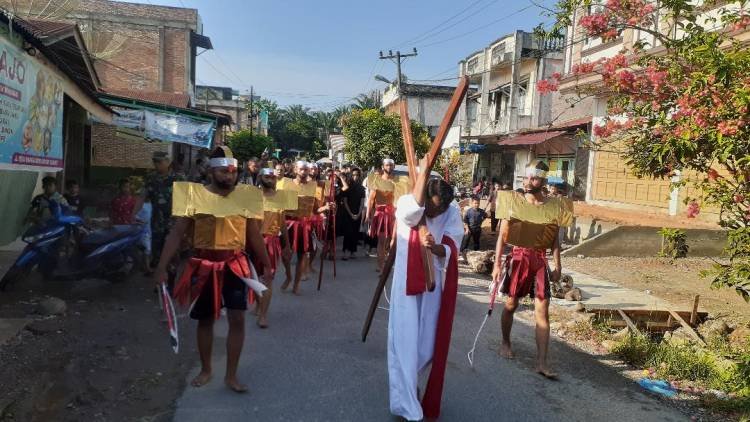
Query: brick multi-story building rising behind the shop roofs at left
point(145, 56)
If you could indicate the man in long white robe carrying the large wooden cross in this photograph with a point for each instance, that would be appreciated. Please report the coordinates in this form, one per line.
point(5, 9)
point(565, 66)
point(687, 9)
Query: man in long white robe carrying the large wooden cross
point(413, 322)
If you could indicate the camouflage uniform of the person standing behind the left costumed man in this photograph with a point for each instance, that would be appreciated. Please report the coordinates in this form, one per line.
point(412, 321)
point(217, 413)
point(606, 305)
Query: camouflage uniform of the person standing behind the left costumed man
point(159, 192)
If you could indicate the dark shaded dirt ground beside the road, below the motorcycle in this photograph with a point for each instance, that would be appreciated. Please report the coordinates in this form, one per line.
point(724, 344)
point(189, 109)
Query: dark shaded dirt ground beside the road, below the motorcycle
point(107, 359)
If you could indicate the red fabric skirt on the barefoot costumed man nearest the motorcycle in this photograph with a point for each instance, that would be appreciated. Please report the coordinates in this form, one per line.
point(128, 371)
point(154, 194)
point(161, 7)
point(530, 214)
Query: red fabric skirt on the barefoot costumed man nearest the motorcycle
point(208, 267)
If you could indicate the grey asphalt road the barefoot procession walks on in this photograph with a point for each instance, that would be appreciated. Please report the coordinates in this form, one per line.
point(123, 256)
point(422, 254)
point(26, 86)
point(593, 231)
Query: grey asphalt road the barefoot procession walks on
point(311, 365)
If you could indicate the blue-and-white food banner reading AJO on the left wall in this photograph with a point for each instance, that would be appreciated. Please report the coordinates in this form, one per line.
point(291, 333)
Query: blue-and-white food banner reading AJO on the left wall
point(31, 112)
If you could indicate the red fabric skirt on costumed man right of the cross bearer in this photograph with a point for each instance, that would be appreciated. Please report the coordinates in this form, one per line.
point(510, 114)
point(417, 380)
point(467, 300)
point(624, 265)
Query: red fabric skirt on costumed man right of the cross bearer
point(529, 275)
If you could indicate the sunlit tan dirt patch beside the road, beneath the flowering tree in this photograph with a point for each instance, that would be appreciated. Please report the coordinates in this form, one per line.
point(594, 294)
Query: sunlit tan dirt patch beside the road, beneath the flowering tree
point(675, 281)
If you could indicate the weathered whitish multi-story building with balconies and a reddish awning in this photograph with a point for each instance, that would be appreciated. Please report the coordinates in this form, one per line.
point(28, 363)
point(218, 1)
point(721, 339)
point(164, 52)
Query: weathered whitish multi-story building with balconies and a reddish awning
point(508, 116)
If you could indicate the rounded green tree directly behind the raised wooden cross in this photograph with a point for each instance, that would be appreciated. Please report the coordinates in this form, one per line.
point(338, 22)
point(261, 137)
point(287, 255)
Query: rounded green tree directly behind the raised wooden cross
point(371, 135)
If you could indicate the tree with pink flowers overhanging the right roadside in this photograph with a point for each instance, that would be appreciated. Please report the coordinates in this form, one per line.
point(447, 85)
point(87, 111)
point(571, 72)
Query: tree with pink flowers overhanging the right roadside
point(681, 105)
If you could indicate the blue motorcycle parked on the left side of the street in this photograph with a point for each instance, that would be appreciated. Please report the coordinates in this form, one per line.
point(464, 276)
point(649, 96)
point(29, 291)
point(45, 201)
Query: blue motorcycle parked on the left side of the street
point(63, 248)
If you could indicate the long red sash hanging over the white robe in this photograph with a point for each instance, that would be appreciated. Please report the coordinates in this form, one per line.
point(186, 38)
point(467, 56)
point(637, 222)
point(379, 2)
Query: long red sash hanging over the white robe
point(415, 284)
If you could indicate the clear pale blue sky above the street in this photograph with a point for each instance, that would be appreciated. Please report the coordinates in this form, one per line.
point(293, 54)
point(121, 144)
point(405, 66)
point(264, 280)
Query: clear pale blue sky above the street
point(322, 53)
